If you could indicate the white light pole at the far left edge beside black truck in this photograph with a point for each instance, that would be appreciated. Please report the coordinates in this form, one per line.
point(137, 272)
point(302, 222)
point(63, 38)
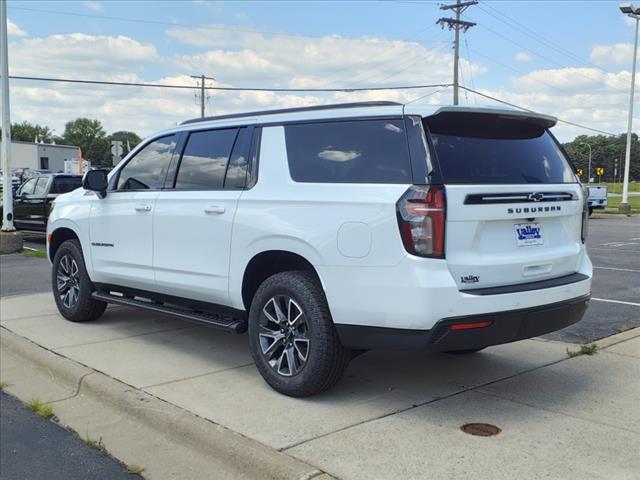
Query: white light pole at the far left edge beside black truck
point(7, 187)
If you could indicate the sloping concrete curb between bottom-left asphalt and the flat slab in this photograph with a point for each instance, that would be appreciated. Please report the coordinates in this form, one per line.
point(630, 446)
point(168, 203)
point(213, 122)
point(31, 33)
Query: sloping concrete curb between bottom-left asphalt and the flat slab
point(138, 428)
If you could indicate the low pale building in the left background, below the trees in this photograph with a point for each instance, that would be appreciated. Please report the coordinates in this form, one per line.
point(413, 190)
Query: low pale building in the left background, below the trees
point(45, 156)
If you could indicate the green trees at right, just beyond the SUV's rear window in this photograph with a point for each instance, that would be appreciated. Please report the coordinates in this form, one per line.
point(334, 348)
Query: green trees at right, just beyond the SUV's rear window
point(607, 152)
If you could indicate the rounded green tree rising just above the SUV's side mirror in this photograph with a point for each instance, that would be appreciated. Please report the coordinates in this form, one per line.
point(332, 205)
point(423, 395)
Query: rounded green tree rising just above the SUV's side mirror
point(90, 136)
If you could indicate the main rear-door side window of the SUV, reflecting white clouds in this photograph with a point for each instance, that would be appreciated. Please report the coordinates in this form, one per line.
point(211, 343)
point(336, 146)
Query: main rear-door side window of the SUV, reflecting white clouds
point(204, 160)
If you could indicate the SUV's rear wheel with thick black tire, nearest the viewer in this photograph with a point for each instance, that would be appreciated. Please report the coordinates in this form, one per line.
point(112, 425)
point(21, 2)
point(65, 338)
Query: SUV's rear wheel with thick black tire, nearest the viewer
point(326, 359)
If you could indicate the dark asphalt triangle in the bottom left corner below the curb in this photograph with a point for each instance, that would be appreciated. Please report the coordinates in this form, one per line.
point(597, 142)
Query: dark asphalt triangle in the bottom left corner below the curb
point(38, 449)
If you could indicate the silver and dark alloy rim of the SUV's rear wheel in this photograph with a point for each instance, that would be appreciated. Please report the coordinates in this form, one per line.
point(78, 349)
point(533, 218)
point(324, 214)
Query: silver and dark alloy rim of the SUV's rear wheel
point(283, 333)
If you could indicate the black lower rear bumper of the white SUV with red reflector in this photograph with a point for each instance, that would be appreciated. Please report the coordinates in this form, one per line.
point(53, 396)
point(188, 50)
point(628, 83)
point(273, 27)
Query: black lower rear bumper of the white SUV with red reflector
point(505, 327)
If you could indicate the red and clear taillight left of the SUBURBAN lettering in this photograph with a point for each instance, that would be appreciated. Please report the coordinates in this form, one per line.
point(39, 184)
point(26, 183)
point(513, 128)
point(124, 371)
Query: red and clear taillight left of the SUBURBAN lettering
point(421, 217)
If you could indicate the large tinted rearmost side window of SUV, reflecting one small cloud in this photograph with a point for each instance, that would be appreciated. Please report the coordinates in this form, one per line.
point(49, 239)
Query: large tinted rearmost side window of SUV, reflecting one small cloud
point(364, 151)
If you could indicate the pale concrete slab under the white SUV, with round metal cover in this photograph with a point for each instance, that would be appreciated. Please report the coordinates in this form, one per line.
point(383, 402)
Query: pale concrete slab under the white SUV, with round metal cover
point(395, 414)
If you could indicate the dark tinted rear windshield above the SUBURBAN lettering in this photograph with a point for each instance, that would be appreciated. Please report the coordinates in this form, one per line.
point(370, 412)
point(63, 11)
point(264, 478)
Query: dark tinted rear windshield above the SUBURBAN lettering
point(484, 149)
